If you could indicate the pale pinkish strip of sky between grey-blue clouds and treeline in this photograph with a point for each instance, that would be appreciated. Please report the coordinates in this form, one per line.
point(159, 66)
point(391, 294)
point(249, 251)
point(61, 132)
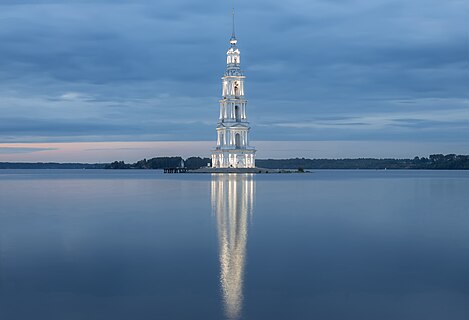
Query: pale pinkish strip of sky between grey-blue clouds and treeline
point(98, 152)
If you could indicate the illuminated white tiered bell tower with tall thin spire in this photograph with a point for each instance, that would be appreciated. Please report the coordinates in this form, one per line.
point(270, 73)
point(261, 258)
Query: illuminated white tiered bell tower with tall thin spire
point(233, 150)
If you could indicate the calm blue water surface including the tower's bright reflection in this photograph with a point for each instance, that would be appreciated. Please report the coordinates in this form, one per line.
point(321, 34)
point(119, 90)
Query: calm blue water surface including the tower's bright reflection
point(144, 245)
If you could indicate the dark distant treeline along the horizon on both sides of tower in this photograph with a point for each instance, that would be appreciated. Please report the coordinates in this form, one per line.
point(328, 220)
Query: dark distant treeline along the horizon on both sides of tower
point(433, 162)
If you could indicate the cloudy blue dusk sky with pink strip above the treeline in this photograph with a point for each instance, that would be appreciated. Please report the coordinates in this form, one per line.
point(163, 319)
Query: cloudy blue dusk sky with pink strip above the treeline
point(103, 80)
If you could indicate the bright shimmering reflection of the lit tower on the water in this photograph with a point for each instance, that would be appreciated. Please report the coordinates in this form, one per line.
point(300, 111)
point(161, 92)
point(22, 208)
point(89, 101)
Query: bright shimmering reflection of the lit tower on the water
point(232, 204)
